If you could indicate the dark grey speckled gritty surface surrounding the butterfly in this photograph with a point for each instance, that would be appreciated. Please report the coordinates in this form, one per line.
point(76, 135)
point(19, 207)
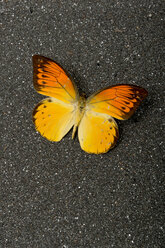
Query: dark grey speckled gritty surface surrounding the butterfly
point(54, 194)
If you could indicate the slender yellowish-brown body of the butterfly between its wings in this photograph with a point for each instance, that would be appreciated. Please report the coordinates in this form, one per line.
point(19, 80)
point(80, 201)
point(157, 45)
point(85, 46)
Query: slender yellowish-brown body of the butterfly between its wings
point(80, 109)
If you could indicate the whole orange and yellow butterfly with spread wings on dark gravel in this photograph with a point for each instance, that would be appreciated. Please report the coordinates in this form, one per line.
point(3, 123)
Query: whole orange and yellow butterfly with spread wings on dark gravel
point(65, 108)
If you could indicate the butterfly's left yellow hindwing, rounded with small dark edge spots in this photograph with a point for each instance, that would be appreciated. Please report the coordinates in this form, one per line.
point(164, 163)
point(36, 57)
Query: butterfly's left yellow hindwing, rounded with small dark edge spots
point(53, 119)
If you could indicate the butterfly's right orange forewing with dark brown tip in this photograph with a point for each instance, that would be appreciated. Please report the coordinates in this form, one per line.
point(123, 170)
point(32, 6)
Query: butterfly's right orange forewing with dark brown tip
point(119, 101)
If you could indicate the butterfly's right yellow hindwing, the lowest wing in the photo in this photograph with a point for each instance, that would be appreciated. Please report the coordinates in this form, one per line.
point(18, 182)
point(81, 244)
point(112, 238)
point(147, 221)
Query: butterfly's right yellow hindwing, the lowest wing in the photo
point(97, 132)
